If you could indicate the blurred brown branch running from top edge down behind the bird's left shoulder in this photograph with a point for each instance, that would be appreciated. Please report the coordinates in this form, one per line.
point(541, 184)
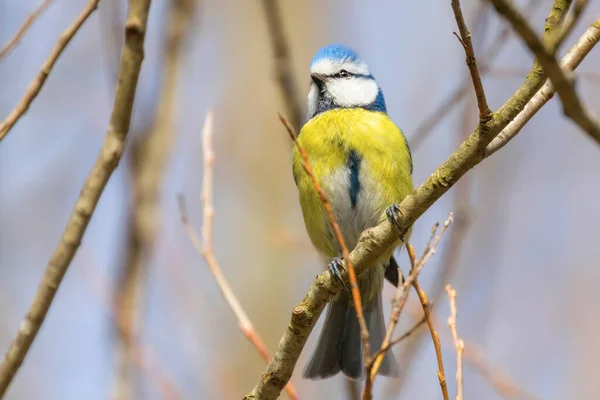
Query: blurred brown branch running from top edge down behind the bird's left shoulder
point(288, 86)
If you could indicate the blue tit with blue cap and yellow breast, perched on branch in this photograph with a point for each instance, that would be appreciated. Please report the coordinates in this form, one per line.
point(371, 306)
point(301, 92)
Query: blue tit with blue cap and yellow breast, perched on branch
point(363, 163)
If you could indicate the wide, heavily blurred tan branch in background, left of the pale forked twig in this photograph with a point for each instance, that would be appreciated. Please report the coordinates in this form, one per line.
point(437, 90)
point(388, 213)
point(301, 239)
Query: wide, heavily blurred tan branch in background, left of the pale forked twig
point(148, 160)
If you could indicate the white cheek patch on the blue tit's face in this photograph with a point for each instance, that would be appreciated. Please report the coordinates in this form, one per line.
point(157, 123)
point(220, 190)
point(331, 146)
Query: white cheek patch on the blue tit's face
point(354, 92)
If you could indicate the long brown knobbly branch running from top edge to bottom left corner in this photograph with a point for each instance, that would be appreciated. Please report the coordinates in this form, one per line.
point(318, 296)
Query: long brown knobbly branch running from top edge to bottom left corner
point(107, 161)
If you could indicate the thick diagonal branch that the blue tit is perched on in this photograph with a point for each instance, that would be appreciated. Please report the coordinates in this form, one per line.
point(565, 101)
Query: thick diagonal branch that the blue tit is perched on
point(374, 241)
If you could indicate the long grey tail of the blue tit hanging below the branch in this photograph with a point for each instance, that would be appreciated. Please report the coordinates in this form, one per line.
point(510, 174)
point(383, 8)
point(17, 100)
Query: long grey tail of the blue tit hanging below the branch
point(340, 346)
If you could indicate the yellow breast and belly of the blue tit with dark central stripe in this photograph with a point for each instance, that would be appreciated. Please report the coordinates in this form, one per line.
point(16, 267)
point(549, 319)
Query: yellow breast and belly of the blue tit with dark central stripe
point(362, 161)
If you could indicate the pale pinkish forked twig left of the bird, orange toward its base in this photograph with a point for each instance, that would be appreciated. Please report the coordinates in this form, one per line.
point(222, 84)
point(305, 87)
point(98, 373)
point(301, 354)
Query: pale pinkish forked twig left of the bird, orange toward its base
point(205, 247)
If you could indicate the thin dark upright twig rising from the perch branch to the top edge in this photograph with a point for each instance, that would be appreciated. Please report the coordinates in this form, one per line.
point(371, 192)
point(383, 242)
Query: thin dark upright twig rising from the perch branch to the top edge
point(485, 114)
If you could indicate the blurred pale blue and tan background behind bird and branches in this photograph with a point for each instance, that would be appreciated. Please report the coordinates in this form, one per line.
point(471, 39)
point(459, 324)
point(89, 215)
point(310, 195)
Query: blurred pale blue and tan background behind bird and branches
point(139, 314)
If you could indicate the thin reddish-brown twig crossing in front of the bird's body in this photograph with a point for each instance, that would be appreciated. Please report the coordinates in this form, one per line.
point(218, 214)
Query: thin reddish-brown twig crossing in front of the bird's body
point(364, 333)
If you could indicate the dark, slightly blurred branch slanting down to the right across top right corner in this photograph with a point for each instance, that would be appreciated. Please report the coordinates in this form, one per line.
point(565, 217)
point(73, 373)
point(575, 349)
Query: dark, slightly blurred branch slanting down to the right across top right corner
point(562, 80)
